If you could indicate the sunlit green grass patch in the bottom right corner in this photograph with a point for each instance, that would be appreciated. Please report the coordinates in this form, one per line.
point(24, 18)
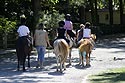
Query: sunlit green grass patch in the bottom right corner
point(109, 76)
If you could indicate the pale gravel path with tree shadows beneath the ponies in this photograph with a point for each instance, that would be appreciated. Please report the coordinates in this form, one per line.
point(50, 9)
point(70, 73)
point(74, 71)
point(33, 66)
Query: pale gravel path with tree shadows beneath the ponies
point(101, 59)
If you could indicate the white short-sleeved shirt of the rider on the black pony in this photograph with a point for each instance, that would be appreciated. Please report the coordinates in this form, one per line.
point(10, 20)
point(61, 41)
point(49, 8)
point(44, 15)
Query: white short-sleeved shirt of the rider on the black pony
point(23, 30)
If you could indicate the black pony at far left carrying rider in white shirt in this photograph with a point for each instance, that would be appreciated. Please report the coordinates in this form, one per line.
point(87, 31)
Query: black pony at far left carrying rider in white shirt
point(23, 50)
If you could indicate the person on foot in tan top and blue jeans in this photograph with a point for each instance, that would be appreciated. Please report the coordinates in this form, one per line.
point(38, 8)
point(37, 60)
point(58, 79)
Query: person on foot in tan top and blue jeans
point(41, 41)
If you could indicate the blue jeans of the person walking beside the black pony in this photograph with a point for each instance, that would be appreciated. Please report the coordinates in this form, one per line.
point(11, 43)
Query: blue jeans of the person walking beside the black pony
point(41, 52)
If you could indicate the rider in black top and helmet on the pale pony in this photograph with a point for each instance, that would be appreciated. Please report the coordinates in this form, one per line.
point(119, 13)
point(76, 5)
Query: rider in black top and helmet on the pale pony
point(61, 32)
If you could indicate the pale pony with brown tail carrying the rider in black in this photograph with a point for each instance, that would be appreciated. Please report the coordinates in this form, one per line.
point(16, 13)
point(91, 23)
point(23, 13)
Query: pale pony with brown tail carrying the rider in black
point(61, 50)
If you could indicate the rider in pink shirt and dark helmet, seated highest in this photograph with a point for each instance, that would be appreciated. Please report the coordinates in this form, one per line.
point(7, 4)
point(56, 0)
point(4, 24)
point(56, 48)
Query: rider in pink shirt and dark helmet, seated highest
point(69, 26)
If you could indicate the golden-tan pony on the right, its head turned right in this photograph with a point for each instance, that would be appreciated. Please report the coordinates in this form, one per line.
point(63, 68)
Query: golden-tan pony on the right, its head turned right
point(85, 49)
